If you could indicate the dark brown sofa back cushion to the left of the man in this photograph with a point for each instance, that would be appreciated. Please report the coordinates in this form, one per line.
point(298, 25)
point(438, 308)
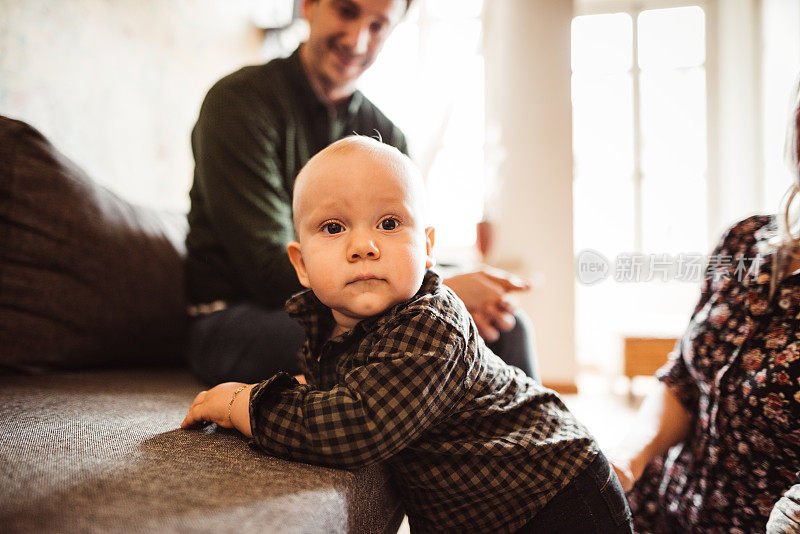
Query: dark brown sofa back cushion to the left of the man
point(86, 278)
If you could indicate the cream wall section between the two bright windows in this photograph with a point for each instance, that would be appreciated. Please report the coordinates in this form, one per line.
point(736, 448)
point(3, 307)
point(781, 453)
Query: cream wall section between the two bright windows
point(527, 53)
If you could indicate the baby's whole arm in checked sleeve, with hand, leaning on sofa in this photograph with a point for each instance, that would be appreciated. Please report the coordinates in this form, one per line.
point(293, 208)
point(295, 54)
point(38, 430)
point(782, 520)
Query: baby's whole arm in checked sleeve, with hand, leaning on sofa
point(376, 409)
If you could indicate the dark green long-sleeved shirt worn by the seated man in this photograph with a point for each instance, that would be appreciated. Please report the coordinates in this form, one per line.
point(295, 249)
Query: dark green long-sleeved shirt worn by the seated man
point(257, 128)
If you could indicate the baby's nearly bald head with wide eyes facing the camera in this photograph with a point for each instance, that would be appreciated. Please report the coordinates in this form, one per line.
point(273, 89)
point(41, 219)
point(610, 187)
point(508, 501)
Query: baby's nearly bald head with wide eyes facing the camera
point(361, 243)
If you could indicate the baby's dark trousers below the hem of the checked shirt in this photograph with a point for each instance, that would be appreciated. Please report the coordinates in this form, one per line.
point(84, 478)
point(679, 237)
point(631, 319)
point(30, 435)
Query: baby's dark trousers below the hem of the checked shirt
point(592, 503)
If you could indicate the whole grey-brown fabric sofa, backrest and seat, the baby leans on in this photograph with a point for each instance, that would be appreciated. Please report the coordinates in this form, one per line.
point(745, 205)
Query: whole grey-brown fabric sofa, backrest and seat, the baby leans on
point(93, 387)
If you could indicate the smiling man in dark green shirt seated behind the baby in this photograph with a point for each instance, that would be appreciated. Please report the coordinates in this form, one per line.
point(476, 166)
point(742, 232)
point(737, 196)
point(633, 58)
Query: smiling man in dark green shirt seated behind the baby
point(257, 127)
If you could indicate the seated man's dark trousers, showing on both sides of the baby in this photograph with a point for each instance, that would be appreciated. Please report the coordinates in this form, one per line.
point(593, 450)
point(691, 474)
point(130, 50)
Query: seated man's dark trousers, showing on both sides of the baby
point(248, 343)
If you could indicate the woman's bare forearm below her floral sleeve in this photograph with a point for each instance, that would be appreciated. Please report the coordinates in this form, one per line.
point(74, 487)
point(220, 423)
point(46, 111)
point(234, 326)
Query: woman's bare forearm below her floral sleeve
point(662, 422)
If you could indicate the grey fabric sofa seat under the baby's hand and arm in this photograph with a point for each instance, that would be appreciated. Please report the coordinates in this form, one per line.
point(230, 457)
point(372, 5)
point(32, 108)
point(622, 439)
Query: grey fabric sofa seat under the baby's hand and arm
point(101, 451)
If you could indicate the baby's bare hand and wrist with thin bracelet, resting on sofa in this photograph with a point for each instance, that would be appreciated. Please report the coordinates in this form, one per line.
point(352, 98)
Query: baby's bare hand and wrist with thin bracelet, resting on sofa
point(227, 404)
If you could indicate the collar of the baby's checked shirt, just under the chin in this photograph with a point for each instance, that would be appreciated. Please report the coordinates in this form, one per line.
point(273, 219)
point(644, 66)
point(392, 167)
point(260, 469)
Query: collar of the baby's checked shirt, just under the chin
point(317, 320)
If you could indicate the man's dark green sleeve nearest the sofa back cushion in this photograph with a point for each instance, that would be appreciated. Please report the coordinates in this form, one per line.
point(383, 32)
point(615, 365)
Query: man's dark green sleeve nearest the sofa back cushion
point(246, 200)
